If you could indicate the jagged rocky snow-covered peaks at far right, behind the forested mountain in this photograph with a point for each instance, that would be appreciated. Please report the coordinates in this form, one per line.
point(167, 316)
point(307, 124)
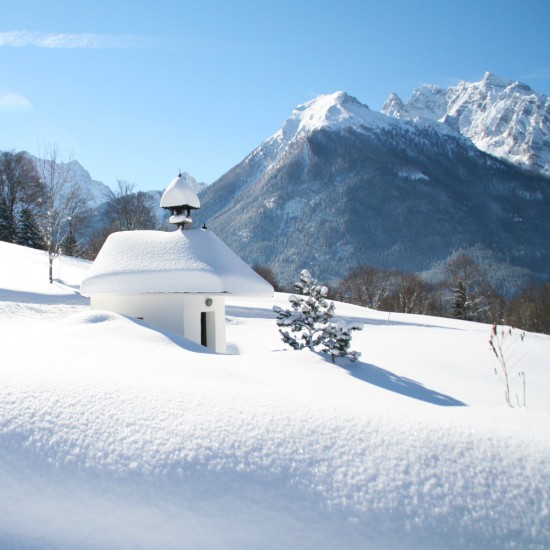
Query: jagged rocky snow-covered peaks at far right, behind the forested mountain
point(502, 117)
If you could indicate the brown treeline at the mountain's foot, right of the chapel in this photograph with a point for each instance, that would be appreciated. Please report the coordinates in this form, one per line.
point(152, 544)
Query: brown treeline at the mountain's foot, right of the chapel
point(464, 292)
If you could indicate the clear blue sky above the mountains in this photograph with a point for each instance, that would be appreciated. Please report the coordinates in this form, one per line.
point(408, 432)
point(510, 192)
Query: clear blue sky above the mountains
point(138, 90)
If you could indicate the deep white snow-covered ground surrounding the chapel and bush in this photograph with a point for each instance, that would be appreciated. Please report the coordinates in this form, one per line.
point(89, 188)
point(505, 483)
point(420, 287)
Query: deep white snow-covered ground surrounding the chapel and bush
point(116, 436)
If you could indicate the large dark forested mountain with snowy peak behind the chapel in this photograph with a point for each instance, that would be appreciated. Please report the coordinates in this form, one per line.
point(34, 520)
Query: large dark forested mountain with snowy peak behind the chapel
point(340, 186)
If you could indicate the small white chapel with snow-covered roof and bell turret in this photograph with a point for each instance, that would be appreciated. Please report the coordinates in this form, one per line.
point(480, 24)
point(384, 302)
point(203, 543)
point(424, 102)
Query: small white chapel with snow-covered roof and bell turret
point(176, 280)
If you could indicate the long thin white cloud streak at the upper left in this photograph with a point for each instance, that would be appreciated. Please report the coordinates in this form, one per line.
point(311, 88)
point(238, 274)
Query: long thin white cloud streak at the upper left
point(21, 39)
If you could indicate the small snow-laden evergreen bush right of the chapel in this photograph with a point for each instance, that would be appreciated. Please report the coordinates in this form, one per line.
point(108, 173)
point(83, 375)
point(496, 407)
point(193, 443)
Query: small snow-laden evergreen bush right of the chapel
point(308, 323)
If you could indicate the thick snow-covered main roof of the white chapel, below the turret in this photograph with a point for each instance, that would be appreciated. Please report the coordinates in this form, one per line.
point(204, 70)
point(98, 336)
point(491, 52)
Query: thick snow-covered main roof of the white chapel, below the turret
point(191, 261)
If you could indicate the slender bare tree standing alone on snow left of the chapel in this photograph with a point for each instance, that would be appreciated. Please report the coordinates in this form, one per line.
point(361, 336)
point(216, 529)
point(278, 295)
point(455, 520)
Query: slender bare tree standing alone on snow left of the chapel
point(63, 200)
